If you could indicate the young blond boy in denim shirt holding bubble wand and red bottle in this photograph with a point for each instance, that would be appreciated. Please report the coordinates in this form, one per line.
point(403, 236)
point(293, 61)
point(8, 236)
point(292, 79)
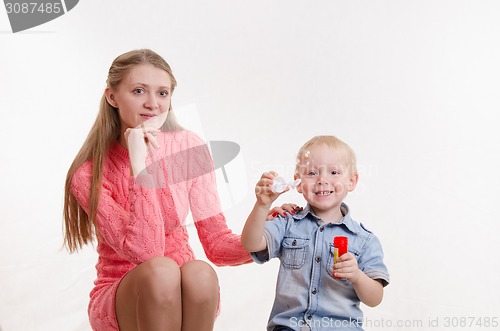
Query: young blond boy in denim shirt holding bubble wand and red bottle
point(312, 292)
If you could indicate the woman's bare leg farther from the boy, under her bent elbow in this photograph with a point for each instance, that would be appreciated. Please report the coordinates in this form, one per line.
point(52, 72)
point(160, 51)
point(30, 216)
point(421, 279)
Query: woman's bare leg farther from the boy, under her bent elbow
point(149, 297)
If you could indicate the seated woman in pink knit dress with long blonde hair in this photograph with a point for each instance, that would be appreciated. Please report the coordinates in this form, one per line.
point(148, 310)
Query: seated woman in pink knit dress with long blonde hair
point(132, 183)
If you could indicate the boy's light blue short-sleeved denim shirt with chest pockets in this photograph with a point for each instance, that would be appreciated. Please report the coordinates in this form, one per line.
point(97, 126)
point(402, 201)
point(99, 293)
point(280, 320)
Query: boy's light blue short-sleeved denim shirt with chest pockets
point(307, 295)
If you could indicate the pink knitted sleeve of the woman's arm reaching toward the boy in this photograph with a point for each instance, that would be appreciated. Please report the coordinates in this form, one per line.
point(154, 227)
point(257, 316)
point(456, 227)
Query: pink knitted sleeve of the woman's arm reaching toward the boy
point(221, 246)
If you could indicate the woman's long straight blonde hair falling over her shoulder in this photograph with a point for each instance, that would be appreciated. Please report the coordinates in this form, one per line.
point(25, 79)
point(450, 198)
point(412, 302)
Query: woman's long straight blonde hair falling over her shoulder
point(80, 226)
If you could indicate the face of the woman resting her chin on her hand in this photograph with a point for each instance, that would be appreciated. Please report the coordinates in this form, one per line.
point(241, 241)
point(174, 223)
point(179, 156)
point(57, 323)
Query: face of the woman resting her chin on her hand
point(142, 95)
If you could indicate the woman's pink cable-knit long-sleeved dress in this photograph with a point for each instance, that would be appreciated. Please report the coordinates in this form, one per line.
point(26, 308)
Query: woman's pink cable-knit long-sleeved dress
point(142, 218)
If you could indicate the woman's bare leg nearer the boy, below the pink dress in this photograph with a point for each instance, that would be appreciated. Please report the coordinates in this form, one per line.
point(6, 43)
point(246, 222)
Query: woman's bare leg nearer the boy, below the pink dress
point(200, 296)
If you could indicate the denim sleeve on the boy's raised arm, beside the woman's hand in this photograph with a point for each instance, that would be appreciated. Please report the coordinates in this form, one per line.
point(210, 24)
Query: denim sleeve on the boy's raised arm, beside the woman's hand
point(274, 231)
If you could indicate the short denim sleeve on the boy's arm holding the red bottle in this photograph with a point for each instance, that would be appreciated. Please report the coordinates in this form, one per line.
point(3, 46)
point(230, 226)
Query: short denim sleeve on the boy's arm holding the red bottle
point(371, 261)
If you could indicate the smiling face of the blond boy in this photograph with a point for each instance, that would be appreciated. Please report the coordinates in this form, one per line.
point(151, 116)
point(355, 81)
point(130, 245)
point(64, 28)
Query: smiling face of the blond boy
point(326, 178)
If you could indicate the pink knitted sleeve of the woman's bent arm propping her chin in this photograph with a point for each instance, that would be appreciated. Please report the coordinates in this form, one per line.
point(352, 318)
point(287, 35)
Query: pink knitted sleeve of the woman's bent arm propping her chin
point(134, 229)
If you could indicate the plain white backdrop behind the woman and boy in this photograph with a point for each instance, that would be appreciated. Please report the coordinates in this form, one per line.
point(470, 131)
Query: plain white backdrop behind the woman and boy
point(412, 86)
